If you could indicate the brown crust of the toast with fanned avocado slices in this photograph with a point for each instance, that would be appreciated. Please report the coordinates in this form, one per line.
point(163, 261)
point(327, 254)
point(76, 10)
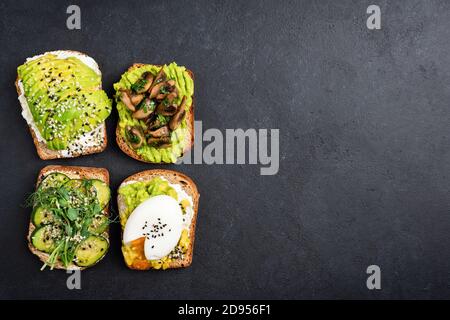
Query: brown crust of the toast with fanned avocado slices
point(47, 154)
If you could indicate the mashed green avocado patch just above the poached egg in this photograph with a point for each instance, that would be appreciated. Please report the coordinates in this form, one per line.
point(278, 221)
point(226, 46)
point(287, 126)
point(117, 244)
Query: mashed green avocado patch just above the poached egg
point(136, 193)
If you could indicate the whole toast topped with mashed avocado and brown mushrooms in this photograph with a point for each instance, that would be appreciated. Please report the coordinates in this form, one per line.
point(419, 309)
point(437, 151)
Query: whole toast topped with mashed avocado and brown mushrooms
point(156, 112)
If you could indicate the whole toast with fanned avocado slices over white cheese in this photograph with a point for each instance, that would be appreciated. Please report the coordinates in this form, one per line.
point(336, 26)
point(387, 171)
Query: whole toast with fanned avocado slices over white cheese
point(62, 100)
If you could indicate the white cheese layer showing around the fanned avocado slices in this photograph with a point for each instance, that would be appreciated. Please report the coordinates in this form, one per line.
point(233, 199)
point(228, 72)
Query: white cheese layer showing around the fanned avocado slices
point(83, 142)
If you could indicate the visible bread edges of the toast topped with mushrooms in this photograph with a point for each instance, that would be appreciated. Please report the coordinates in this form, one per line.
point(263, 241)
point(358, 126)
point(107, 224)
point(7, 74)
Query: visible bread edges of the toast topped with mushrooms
point(123, 145)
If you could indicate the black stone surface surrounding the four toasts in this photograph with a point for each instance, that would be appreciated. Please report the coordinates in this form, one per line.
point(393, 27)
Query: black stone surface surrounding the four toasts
point(364, 145)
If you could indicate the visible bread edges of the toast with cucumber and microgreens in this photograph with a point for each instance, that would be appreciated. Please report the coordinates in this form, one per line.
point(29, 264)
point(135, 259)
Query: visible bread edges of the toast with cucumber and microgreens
point(72, 172)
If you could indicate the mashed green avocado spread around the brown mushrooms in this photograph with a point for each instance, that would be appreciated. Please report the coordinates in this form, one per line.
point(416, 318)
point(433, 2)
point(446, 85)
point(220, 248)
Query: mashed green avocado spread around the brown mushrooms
point(185, 86)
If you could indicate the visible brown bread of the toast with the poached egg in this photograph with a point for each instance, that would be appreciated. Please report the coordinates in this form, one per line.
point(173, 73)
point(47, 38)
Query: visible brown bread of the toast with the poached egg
point(188, 186)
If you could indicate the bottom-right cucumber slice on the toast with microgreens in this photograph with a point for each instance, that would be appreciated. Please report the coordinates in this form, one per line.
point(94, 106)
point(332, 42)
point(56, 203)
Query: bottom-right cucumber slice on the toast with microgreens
point(91, 250)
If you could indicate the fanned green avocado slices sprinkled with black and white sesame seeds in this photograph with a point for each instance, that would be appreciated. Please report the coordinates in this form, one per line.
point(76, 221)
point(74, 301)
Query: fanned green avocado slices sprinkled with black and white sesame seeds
point(64, 98)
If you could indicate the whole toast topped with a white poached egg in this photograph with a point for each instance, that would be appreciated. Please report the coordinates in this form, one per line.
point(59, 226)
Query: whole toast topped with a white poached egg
point(158, 215)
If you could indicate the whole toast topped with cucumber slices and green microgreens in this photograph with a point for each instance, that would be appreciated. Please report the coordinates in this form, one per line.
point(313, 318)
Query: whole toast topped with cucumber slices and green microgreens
point(69, 222)
